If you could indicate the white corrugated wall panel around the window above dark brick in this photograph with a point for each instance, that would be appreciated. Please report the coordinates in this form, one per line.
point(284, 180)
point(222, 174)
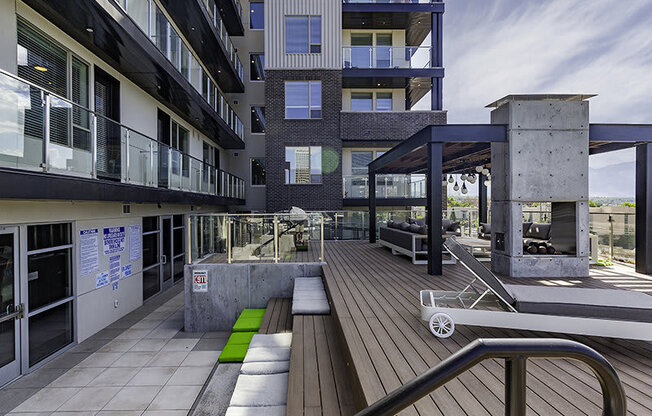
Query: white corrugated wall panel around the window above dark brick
point(331, 21)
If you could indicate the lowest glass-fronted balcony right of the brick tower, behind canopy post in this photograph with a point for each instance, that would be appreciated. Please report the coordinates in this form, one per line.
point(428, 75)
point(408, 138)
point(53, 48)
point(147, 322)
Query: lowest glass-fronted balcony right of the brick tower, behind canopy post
point(390, 189)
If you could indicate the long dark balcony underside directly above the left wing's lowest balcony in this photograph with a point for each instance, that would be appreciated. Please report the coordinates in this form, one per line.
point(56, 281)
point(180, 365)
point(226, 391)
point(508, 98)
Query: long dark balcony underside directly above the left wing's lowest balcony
point(117, 40)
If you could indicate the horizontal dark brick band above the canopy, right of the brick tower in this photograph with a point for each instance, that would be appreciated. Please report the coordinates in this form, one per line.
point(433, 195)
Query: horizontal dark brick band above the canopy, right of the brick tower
point(390, 126)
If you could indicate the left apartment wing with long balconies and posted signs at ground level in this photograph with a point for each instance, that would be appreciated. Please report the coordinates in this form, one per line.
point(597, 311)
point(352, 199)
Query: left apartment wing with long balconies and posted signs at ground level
point(118, 119)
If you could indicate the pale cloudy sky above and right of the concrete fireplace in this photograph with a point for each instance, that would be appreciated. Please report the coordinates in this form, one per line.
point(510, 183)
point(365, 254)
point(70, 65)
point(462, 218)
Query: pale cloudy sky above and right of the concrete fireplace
point(499, 47)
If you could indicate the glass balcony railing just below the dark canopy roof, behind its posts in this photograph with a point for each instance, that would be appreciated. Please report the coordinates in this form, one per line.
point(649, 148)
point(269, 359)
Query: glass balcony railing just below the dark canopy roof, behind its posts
point(387, 186)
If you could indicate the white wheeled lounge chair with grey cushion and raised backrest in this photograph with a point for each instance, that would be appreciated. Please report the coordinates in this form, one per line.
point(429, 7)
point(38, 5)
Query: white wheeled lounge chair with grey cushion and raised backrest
point(600, 312)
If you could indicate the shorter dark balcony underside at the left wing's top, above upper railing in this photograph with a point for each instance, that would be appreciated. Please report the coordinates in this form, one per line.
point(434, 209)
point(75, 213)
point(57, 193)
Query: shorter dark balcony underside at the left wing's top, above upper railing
point(193, 21)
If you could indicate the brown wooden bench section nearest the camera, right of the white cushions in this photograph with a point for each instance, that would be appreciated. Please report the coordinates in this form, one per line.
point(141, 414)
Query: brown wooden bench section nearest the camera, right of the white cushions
point(320, 380)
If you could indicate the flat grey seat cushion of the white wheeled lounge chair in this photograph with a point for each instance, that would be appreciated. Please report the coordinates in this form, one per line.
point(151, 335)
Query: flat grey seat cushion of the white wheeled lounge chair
point(581, 302)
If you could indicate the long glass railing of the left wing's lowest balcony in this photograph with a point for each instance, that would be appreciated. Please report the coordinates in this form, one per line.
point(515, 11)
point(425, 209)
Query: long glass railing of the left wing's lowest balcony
point(44, 132)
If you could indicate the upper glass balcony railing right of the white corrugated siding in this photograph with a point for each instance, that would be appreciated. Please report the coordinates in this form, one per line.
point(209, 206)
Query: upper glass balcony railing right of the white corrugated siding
point(402, 57)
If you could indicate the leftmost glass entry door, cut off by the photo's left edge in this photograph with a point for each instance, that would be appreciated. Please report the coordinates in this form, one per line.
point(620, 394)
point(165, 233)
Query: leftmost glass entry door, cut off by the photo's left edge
point(10, 306)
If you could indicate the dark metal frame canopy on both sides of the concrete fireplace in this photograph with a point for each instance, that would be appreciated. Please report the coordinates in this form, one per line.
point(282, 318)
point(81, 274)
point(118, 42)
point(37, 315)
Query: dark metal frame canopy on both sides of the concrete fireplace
point(441, 149)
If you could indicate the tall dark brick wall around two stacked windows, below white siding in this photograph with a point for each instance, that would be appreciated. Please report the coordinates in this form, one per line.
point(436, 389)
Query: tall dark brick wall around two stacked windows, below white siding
point(323, 132)
